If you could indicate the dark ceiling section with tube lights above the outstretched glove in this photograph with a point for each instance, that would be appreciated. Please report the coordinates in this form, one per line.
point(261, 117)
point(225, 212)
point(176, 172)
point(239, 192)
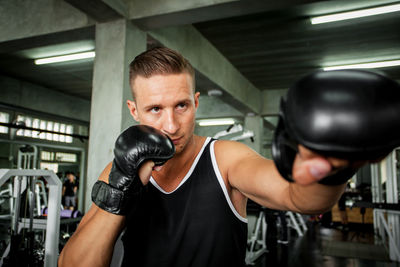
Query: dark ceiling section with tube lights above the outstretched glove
point(273, 49)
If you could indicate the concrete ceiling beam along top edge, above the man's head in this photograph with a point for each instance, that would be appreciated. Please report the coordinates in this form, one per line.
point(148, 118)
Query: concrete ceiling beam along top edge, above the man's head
point(152, 14)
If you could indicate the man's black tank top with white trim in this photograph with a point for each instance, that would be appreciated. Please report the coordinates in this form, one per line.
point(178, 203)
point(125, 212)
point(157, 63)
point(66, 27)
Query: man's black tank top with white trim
point(195, 225)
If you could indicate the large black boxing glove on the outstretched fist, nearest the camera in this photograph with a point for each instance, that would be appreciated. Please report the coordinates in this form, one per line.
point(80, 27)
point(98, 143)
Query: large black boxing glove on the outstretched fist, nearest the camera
point(349, 114)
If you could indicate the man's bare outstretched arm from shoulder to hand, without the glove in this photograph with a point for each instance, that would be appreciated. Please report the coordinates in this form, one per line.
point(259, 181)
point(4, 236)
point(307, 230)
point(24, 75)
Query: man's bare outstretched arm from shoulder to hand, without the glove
point(258, 179)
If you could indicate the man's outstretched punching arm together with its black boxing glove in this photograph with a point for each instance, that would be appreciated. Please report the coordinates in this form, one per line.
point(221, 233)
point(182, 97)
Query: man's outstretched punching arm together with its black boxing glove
point(327, 112)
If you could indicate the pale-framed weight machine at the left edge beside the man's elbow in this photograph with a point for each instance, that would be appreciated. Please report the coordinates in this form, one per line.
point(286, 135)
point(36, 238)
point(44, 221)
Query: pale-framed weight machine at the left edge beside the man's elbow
point(25, 191)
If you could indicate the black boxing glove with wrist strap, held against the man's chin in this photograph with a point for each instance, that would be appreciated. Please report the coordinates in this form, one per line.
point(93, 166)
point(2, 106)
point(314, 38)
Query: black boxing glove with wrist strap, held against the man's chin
point(133, 146)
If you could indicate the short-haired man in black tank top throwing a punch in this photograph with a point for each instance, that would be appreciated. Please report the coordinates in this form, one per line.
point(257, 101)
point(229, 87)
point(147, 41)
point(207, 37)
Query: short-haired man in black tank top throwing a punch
point(193, 210)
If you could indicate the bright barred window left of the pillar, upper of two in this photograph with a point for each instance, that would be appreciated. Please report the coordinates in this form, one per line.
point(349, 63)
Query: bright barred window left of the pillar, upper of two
point(45, 125)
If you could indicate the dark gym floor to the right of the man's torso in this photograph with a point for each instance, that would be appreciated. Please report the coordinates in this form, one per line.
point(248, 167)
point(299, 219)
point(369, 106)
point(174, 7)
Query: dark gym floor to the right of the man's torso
point(328, 247)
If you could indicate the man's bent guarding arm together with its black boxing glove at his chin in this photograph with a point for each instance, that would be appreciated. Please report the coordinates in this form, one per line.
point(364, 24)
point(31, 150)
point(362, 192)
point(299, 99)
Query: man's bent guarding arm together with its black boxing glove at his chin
point(93, 242)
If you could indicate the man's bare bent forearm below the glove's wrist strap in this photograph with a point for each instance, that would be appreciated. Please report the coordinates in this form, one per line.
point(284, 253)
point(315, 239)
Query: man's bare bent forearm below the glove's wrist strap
point(93, 241)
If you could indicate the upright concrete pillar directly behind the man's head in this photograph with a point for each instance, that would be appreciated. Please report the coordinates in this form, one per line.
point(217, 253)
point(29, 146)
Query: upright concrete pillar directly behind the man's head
point(117, 43)
